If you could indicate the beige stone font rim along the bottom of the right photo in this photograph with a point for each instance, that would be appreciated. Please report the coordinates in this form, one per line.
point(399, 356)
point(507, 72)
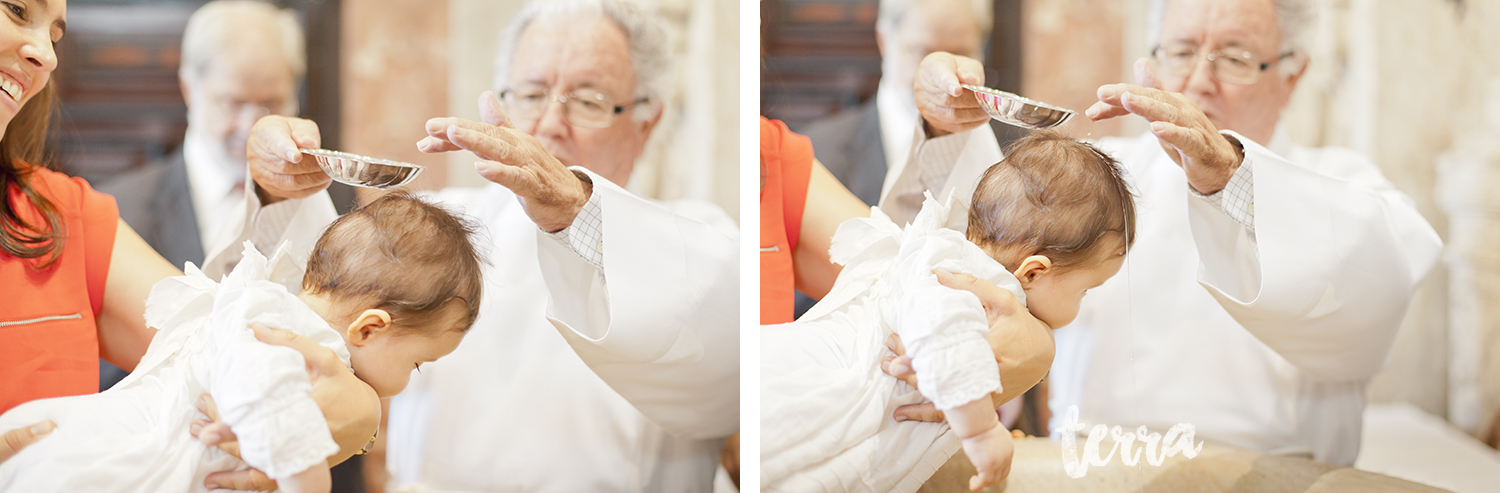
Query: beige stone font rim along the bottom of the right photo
point(1039, 468)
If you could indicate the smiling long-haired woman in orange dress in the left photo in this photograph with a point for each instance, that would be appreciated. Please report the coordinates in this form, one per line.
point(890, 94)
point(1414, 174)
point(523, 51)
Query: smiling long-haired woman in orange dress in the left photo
point(74, 278)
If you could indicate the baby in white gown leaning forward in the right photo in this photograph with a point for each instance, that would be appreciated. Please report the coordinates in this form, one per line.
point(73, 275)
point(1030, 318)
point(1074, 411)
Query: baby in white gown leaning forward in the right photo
point(1049, 223)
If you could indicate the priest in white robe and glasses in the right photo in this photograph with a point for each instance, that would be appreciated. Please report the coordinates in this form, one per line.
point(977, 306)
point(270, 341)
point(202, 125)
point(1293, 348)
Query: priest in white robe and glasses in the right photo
point(1268, 281)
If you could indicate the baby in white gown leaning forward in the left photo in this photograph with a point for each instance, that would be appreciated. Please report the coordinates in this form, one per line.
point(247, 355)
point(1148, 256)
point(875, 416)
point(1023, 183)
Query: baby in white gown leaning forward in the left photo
point(389, 287)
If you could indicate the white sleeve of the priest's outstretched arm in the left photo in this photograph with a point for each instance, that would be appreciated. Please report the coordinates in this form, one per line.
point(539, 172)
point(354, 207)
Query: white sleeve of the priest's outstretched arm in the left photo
point(659, 323)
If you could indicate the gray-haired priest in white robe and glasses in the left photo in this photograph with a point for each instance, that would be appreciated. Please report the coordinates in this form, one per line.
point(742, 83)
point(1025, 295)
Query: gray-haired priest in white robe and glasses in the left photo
point(607, 356)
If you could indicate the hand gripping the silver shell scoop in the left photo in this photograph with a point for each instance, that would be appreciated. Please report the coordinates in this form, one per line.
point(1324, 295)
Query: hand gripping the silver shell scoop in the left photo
point(281, 172)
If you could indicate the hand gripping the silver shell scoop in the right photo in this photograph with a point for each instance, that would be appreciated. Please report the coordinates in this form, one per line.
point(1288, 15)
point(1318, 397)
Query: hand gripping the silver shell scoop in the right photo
point(943, 101)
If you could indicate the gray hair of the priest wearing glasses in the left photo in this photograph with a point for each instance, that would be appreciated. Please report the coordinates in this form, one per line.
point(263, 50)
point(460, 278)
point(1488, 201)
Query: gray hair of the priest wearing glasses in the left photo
point(650, 56)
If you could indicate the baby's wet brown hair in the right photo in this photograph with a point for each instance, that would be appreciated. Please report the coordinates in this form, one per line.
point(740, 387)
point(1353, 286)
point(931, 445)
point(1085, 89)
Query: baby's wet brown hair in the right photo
point(1051, 196)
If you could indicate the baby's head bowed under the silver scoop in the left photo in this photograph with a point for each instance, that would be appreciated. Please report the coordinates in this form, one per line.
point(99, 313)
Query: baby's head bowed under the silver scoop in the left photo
point(401, 281)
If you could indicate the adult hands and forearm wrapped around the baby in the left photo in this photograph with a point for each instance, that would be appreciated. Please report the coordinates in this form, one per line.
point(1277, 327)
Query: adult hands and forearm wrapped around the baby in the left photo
point(338, 393)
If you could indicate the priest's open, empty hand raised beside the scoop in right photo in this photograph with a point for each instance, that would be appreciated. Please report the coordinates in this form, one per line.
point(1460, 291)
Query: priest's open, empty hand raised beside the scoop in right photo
point(1183, 130)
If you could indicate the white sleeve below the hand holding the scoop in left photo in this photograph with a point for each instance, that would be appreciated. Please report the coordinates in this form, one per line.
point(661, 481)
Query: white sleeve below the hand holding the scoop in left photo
point(299, 223)
